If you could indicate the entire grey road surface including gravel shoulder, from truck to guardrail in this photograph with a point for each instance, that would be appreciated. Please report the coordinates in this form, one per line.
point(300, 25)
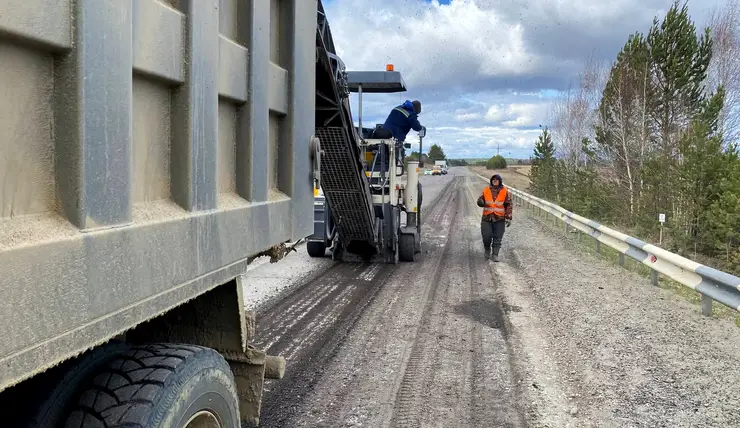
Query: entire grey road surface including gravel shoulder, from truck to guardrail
point(549, 337)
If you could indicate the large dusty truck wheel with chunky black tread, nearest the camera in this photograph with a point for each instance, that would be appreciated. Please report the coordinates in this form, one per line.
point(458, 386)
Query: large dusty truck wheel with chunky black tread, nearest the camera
point(160, 386)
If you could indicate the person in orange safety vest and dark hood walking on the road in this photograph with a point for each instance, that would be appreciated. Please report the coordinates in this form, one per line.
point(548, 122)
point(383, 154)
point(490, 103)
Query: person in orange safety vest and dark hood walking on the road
point(496, 203)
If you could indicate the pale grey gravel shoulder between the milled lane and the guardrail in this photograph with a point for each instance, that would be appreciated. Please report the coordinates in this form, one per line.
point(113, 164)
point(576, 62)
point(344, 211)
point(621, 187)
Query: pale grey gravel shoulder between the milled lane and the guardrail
point(608, 347)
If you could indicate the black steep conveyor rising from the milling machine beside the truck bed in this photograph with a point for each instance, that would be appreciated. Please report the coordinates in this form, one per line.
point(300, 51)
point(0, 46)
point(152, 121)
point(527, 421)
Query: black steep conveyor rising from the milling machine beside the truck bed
point(343, 178)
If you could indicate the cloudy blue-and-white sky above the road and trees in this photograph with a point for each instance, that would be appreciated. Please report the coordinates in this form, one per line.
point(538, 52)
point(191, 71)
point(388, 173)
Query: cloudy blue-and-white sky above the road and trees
point(486, 71)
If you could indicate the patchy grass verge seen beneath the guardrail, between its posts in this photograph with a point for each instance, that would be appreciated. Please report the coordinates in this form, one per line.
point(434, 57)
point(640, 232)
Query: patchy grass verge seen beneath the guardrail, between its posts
point(588, 244)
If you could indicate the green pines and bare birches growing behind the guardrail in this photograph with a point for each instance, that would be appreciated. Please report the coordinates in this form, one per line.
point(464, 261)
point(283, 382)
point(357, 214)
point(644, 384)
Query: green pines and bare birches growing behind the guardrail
point(655, 132)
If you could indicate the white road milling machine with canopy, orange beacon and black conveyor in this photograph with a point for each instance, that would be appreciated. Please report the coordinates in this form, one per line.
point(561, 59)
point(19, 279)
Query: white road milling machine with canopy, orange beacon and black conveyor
point(367, 201)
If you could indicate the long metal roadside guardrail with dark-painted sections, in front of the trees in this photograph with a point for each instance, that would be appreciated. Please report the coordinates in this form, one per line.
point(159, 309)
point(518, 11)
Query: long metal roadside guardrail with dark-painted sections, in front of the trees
point(712, 284)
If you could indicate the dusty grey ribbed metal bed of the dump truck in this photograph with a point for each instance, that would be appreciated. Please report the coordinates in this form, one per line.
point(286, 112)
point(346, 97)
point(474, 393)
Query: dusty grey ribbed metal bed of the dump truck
point(149, 149)
